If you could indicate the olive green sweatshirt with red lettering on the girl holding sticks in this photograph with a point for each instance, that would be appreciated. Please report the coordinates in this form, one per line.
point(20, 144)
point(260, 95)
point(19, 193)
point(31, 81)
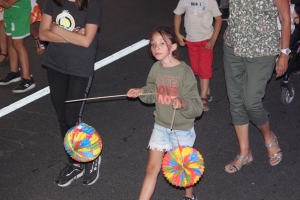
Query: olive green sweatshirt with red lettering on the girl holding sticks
point(168, 83)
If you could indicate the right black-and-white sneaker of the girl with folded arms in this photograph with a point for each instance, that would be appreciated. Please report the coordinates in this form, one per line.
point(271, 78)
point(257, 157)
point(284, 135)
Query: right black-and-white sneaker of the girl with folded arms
point(91, 174)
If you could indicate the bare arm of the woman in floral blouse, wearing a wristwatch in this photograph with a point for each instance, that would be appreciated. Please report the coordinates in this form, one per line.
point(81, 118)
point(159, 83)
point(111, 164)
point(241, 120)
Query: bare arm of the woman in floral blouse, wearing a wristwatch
point(285, 18)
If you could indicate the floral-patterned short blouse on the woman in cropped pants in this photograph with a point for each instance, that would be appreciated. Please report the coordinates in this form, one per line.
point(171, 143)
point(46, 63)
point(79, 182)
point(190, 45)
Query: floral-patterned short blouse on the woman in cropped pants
point(252, 28)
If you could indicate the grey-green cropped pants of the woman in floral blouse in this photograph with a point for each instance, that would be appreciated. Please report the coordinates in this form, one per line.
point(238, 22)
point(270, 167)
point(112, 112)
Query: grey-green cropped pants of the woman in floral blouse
point(246, 81)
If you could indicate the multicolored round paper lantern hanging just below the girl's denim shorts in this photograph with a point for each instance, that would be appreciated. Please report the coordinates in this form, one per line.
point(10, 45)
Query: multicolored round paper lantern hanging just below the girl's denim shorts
point(183, 166)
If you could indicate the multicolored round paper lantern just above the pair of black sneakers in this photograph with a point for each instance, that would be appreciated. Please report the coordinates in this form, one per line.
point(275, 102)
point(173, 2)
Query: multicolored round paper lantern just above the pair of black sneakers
point(83, 143)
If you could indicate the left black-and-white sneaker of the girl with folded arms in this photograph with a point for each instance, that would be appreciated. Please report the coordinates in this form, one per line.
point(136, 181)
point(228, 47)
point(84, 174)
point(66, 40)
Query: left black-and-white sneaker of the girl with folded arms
point(69, 174)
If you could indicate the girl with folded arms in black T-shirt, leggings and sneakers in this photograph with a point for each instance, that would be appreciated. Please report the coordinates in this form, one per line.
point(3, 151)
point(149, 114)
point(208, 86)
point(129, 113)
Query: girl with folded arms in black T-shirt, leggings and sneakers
point(69, 60)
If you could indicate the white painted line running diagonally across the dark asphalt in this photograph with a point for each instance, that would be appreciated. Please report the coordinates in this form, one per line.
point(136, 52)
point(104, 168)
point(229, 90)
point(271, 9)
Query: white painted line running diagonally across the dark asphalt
point(43, 92)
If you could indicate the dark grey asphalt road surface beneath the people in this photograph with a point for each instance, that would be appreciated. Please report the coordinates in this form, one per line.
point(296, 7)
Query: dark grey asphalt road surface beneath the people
point(32, 154)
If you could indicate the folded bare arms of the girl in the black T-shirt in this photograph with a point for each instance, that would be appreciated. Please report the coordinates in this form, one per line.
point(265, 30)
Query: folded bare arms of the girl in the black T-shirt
point(54, 33)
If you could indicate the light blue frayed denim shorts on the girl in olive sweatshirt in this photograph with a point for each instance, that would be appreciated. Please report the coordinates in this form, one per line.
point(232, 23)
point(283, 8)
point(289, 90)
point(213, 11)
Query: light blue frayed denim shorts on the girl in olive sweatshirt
point(163, 139)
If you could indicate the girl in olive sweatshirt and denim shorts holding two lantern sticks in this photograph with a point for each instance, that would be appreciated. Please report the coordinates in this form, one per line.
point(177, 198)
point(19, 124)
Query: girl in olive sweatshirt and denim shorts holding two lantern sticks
point(174, 86)
